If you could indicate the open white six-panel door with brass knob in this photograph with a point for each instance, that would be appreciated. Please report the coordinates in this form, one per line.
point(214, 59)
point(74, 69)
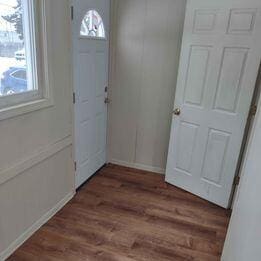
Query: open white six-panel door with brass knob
point(219, 62)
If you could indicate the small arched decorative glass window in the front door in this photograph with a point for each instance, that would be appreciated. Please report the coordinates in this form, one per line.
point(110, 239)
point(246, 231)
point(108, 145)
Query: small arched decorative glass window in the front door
point(92, 25)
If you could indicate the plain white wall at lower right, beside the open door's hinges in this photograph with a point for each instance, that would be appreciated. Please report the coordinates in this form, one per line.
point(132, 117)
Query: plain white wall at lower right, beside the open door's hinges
point(244, 235)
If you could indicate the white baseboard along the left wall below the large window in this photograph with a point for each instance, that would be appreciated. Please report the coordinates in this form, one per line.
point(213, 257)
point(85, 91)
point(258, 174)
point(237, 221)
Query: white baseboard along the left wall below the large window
point(30, 231)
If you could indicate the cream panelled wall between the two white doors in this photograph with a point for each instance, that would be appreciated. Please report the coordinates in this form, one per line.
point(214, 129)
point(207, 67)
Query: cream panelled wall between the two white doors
point(146, 37)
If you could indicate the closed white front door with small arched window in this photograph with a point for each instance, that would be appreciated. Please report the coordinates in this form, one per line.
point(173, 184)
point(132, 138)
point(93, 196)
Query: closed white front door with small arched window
point(90, 32)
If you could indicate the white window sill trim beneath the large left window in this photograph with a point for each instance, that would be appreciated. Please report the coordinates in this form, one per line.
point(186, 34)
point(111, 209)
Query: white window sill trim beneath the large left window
point(24, 108)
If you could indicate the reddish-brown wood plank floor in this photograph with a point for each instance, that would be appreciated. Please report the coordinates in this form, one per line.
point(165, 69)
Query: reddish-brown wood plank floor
point(125, 214)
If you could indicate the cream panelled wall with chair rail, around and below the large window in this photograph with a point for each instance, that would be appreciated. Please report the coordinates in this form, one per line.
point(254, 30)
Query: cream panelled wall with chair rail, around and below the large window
point(36, 148)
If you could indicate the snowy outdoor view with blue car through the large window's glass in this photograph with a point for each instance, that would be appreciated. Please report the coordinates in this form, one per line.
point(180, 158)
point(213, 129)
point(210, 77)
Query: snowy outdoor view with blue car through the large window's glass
point(13, 62)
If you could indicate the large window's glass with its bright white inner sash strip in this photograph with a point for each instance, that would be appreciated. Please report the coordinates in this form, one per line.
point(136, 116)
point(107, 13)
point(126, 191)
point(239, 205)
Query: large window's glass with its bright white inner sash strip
point(15, 48)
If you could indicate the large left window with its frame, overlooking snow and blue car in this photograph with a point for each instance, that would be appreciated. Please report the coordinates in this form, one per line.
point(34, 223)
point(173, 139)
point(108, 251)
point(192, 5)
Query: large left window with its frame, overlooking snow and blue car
point(22, 66)
